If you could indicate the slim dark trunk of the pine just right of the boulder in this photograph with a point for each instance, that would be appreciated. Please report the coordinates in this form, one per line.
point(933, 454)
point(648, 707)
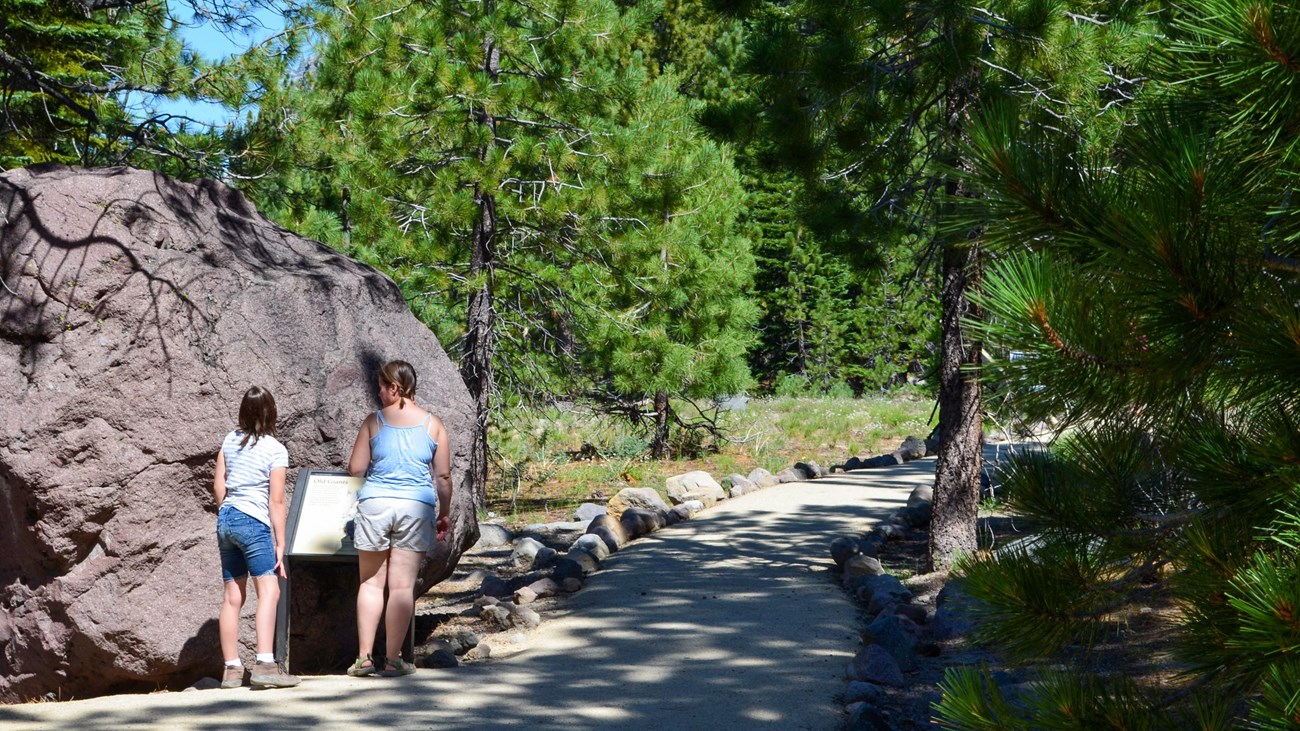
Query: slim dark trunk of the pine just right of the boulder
point(482, 318)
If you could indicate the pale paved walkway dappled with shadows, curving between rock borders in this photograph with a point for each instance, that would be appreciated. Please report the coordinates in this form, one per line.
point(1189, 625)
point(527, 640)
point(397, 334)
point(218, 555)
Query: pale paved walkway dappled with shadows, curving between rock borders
point(729, 621)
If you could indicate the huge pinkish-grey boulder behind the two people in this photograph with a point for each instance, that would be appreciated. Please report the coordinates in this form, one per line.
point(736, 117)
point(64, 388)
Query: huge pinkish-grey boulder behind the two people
point(136, 312)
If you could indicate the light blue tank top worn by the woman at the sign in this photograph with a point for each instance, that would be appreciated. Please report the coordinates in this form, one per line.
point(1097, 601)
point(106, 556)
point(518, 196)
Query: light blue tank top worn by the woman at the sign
point(400, 464)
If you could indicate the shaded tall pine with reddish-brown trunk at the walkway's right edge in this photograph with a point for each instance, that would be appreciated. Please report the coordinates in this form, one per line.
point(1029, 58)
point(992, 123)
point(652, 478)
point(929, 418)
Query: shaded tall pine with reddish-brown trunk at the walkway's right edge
point(865, 100)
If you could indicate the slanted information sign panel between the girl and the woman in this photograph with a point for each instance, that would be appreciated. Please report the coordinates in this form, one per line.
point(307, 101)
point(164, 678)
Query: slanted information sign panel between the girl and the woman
point(320, 518)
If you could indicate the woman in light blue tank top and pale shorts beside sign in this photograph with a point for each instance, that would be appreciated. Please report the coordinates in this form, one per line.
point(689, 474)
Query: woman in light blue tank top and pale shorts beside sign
point(402, 511)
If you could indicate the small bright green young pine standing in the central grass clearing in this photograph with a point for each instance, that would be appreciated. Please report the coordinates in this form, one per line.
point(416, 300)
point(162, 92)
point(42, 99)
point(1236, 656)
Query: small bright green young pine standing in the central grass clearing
point(682, 299)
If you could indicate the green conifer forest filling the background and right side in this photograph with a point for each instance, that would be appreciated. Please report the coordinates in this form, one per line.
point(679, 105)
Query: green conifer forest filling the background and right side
point(1067, 211)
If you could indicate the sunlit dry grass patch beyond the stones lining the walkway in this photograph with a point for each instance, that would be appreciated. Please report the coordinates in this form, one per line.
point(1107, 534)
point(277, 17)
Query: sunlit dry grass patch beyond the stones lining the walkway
point(547, 462)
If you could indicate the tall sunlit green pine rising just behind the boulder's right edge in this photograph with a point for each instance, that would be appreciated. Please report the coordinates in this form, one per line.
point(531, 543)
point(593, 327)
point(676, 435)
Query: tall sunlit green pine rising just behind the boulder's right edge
point(483, 154)
